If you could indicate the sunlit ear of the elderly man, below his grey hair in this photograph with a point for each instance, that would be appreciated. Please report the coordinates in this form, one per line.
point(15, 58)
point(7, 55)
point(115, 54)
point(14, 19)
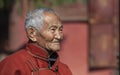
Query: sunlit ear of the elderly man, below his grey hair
point(31, 33)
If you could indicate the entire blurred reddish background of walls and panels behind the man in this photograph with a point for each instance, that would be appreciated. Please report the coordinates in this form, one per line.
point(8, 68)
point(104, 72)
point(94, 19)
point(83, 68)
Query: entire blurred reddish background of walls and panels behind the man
point(91, 29)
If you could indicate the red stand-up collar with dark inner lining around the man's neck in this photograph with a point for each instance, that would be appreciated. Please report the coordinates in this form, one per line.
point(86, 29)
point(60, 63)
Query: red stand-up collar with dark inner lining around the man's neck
point(36, 51)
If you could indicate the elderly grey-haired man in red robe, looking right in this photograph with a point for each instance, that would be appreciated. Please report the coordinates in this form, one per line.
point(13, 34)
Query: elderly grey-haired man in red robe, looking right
point(39, 57)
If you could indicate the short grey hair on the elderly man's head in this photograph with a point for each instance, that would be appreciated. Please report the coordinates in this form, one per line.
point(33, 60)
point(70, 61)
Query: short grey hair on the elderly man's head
point(35, 18)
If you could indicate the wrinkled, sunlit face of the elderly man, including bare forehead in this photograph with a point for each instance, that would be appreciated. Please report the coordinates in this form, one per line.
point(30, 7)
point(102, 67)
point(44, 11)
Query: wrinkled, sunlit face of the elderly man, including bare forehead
point(51, 34)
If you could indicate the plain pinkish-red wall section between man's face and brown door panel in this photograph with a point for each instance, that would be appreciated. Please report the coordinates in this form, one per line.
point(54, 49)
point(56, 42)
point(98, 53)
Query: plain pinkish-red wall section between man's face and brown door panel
point(74, 51)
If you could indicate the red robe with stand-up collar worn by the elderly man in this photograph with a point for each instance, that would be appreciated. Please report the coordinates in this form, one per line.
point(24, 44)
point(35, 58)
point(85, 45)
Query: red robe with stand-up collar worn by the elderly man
point(32, 61)
